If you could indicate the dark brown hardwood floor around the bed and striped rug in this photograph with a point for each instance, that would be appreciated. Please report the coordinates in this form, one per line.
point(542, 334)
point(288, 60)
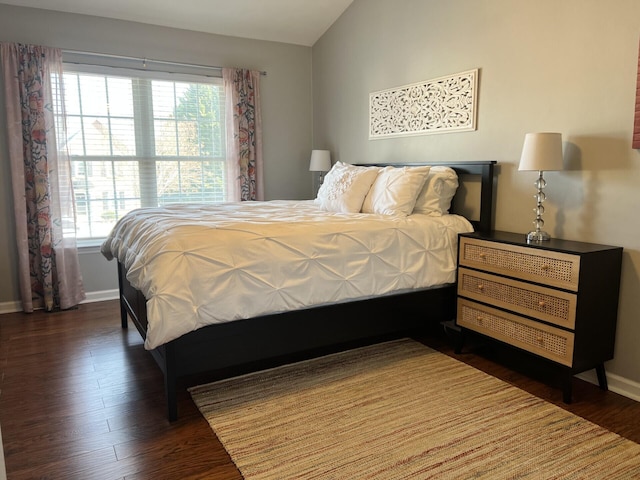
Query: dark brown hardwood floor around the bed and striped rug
point(80, 398)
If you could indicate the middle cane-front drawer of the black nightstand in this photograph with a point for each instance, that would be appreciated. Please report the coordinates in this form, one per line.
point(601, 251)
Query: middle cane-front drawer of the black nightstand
point(553, 306)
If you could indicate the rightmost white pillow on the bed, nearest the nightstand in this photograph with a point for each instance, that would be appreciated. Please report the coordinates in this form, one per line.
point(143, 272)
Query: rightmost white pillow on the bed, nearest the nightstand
point(438, 191)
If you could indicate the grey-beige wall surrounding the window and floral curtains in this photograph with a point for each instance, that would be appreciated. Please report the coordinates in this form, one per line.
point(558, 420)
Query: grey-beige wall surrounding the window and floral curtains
point(286, 105)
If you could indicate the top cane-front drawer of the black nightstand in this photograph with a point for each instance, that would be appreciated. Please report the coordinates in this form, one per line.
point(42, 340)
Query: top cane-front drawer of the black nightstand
point(548, 267)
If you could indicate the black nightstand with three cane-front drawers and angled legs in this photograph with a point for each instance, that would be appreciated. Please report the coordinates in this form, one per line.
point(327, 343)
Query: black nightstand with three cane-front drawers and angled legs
point(556, 299)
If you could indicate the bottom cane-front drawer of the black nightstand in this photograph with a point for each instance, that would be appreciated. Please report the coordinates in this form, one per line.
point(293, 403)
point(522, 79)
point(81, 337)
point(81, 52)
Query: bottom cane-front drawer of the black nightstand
point(543, 340)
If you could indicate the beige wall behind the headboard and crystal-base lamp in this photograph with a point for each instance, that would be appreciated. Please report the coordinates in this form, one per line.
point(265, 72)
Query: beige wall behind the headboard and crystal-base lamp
point(545, 65)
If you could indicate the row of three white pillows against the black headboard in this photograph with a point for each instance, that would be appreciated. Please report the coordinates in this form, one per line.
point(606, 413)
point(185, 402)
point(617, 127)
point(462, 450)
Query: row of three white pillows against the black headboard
point(388, 190)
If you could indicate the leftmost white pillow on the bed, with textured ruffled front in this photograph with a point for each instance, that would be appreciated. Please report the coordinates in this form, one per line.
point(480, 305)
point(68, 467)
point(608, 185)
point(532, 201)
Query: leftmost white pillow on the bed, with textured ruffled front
point(345, 187)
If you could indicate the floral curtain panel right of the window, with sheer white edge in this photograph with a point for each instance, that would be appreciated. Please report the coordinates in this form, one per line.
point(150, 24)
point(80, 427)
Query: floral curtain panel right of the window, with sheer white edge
point(244, 133)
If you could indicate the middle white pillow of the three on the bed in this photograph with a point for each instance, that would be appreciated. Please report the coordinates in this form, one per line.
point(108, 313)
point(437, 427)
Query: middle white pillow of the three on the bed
point(395, 190)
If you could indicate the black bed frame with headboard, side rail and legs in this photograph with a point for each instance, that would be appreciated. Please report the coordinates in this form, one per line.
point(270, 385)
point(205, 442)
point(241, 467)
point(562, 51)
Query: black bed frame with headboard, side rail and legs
point(272, 339)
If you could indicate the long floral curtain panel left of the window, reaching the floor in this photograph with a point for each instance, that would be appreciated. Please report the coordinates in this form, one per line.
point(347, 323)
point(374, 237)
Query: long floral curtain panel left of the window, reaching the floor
point(41, 176)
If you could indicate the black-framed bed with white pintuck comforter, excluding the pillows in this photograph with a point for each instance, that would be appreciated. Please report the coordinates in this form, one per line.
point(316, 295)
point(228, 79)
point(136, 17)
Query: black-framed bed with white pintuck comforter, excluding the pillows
point(292, 318)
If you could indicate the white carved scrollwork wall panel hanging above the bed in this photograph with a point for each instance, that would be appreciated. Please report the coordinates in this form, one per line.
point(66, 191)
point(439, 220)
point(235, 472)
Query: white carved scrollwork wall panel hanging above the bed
point(442, 105)
